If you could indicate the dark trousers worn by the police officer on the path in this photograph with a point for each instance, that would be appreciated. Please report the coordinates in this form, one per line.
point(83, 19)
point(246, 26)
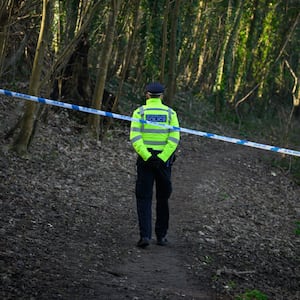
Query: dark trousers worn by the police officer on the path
point(146, 176)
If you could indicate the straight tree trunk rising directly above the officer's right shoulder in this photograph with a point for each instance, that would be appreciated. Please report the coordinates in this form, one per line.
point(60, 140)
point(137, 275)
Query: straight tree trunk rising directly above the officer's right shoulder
point(173, 55)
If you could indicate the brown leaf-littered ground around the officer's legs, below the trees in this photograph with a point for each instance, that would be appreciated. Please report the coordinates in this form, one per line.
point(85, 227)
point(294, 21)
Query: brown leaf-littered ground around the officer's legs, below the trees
point(69, 228)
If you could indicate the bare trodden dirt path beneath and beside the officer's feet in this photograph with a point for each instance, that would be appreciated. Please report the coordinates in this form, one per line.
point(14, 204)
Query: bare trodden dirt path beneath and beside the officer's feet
point(160, 272)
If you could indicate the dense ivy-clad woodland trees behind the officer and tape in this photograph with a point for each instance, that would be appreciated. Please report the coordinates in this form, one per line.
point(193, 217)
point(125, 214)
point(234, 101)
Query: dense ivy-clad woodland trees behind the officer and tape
point(229, 61)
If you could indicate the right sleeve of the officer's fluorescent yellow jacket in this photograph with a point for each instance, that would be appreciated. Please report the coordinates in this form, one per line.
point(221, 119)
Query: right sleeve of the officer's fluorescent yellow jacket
point(173, 139)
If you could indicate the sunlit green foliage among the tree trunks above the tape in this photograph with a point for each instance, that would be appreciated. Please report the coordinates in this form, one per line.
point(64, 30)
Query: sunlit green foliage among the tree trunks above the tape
point(258, 37)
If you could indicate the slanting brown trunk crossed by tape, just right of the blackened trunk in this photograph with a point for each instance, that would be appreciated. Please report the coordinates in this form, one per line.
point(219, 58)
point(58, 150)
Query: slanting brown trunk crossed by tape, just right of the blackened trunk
point(104, 59)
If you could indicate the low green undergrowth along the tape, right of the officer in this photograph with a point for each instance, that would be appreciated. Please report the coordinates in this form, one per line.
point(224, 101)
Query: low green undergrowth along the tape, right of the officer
point(269, 127)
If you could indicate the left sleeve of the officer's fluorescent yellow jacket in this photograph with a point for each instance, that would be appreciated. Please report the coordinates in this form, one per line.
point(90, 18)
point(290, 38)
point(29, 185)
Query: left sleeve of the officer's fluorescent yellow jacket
point(136, 137)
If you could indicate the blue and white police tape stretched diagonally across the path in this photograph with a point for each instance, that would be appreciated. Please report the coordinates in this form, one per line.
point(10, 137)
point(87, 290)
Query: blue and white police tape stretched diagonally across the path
point(127, 118)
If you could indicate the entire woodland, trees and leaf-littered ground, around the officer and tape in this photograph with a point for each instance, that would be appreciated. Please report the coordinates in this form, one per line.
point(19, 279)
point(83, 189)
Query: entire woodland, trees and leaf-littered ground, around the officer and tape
point(230, 67)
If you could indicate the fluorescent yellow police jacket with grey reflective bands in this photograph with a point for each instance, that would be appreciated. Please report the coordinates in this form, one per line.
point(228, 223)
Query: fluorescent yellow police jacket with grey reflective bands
point(147, 136)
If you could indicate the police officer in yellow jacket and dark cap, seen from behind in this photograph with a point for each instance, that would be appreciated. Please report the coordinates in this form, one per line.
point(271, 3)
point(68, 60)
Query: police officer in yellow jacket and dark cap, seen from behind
point(155, 147)
